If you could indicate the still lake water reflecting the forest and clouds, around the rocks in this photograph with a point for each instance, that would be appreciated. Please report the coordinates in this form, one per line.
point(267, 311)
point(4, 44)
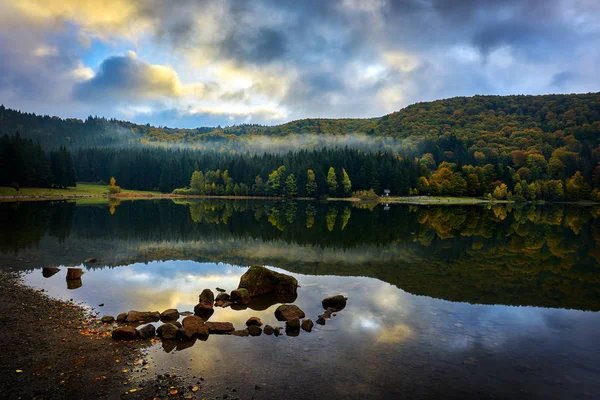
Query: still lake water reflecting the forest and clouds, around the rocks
point(492, 301)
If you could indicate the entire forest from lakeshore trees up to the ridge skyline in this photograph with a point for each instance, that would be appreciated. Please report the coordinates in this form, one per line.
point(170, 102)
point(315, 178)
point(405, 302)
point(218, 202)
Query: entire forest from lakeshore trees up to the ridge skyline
point(503, 147)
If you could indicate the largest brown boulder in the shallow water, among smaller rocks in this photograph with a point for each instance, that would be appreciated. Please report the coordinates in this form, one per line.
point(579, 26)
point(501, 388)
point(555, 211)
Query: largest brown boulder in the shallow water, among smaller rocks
point(260, 280)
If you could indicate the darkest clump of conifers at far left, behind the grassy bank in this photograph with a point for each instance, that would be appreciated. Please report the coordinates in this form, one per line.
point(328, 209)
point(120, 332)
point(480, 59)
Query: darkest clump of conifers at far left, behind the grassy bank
point(23, 162)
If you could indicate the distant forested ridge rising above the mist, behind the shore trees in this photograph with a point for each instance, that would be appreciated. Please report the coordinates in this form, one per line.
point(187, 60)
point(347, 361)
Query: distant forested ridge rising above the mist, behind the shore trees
point(482, 122)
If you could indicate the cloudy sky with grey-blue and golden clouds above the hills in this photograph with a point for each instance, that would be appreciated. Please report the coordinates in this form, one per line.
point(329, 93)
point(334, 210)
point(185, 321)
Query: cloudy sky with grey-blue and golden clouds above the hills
point(198, 63)
